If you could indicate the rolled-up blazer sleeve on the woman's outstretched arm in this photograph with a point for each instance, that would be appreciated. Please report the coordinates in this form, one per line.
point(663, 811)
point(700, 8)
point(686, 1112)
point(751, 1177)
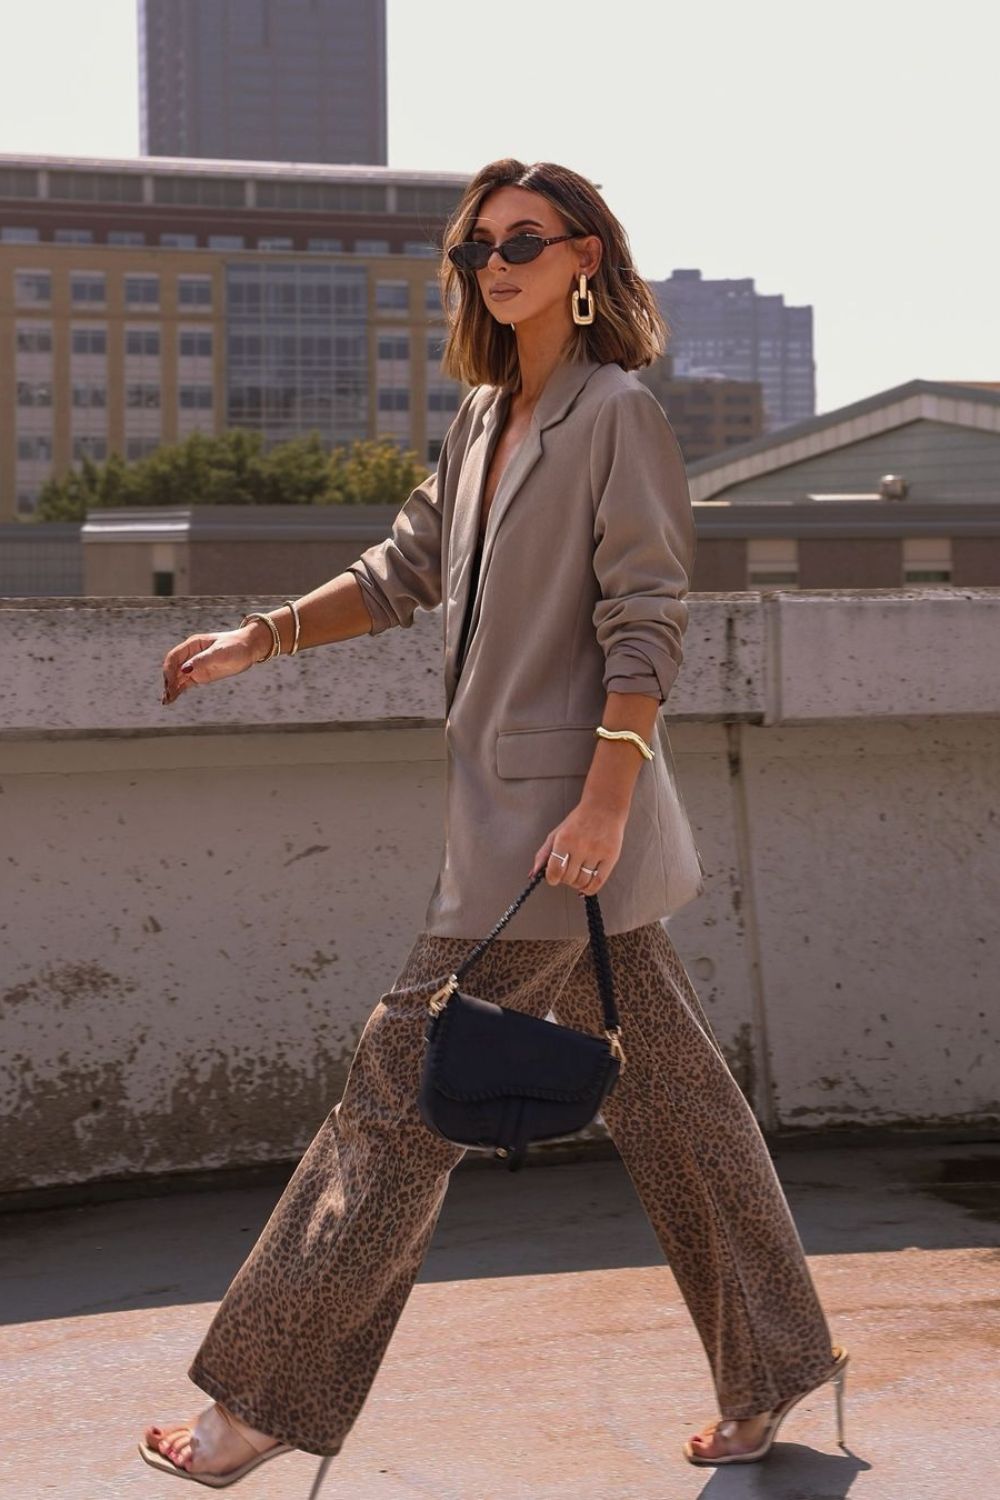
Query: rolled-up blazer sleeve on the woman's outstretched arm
point(403, 574)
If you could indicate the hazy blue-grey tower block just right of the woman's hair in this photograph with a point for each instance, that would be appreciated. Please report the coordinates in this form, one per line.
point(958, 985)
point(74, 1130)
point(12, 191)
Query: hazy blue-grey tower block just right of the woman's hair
point(726, 329)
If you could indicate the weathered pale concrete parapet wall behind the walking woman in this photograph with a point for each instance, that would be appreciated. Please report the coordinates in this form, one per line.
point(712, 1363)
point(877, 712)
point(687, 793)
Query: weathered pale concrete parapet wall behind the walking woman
point(202, 904)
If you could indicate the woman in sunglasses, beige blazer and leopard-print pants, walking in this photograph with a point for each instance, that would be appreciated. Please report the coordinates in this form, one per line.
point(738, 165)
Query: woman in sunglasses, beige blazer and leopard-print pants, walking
point(558, 538)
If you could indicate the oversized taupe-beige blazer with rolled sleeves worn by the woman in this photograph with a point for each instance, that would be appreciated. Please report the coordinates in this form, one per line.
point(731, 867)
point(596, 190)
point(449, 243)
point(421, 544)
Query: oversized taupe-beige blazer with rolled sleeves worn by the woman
point(587, 559)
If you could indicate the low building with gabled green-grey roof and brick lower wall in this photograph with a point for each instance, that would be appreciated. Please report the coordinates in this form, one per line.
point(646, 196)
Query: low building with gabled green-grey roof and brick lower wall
point(902, 488)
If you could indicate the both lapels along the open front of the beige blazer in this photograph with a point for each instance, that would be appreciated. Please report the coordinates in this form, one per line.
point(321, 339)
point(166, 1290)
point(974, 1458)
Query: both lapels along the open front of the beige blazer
point(560, 392)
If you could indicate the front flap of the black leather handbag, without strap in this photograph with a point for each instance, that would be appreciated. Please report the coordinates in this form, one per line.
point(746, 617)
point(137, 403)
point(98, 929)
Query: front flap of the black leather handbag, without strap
point(481, 1051)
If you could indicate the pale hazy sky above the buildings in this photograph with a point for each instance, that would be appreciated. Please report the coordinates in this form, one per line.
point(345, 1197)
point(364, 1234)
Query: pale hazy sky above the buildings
point(843, 155)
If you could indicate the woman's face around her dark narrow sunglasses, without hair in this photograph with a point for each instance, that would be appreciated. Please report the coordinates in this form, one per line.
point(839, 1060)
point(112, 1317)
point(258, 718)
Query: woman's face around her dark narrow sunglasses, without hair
point(516, 295)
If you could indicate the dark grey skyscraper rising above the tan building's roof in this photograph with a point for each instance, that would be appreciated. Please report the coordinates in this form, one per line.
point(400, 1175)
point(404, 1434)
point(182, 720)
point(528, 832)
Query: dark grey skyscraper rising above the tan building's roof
point(265, 80)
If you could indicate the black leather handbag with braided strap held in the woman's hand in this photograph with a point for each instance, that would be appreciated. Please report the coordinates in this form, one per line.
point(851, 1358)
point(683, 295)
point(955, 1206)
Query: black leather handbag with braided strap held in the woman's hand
point(497, 1079)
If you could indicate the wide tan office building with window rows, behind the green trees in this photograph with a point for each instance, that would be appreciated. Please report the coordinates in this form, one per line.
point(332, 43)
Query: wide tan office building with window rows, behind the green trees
point(146, 299)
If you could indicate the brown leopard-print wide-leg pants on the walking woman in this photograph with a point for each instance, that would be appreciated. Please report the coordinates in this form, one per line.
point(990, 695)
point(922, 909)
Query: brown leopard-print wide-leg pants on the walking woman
point(301, 1334)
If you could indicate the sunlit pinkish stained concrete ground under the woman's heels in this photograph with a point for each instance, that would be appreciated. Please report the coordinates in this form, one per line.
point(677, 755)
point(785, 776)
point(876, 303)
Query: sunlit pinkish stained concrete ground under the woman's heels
point(545, 1352)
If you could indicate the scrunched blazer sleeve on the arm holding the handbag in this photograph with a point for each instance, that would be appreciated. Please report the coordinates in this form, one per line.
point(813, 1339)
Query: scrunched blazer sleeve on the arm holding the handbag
point(644, 544)
